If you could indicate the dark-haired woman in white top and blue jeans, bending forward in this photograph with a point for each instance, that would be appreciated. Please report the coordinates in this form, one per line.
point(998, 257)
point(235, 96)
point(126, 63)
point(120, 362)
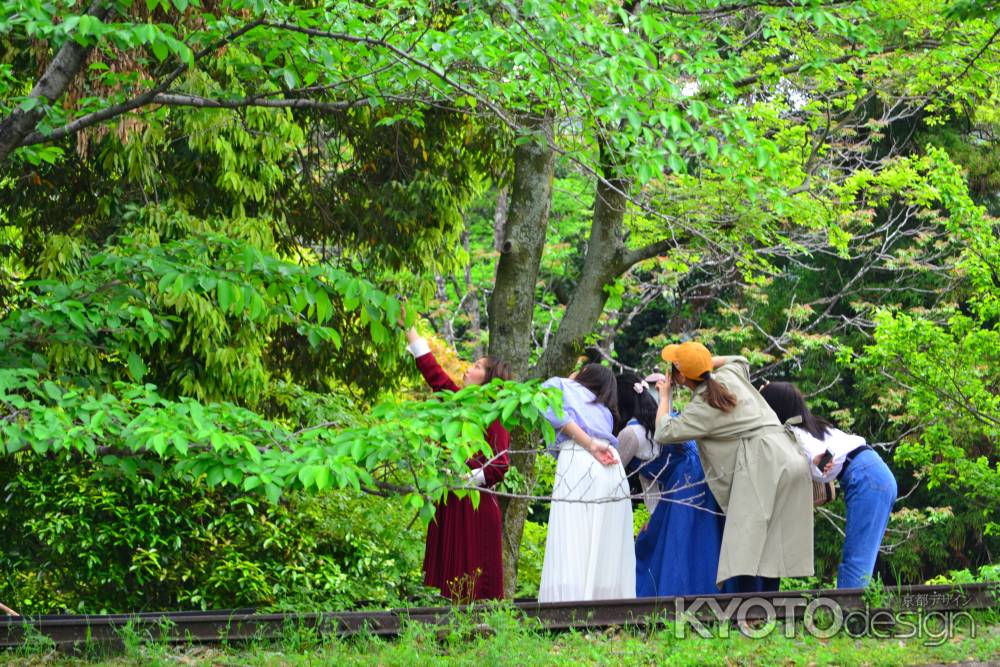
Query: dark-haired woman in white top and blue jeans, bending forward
point(866, 481)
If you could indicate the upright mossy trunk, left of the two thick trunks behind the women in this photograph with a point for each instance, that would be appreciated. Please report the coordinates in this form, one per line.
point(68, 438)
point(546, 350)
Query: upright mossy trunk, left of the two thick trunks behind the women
point(512, 304)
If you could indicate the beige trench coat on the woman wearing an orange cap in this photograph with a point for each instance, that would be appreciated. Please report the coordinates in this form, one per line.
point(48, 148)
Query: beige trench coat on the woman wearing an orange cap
point(758, 474)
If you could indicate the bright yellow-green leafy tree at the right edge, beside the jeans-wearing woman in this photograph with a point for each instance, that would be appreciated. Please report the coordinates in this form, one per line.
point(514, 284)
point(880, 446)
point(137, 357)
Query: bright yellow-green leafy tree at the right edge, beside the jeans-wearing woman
point(943, 365)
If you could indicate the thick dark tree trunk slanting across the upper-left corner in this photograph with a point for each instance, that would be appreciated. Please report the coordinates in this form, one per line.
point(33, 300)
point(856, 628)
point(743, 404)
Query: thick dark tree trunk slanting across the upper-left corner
point(49, 88)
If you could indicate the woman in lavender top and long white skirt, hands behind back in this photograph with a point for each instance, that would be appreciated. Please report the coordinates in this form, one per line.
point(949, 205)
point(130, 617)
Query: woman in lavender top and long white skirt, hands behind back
point(589, 554)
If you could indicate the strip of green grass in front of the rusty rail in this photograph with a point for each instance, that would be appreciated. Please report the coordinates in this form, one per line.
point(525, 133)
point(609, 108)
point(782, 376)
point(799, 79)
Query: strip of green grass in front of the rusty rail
point(502, 639)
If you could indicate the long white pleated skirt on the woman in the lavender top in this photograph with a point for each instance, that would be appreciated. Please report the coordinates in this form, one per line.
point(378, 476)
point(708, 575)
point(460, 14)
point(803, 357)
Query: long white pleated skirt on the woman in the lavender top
point(589, 552)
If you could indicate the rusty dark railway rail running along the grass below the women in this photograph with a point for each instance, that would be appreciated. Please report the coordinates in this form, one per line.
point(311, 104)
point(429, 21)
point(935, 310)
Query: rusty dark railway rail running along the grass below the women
point(235, 625)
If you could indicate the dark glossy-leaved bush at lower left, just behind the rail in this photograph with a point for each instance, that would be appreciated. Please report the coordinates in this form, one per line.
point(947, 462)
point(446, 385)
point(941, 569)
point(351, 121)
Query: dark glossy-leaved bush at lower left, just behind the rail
point(80, 540)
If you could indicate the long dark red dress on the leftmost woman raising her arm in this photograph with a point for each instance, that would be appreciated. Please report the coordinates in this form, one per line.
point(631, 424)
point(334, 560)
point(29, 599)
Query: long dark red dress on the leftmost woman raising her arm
point(463, 556)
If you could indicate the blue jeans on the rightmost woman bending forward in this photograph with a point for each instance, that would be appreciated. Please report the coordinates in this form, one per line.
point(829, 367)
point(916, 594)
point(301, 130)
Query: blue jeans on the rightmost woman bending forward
point(869, 492)
